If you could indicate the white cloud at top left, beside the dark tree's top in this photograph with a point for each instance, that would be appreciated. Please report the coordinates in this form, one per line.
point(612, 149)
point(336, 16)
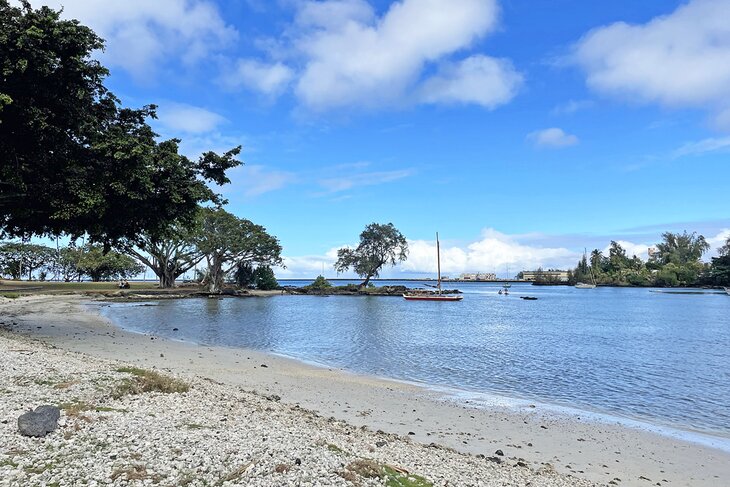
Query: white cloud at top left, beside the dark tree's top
point(142, 35)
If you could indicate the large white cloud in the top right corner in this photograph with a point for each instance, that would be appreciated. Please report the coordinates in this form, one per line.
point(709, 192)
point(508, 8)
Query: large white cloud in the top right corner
point(676, 60)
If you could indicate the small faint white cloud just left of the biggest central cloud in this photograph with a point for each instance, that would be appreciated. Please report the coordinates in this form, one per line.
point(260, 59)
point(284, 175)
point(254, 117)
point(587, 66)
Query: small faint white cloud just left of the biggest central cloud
point(269, 79)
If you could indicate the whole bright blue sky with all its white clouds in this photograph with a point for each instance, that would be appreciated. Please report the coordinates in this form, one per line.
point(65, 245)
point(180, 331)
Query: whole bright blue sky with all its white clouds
point(523, 131)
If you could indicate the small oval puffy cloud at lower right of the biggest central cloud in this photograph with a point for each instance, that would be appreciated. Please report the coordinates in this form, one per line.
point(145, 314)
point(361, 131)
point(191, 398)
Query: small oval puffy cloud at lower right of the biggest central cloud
point(480, 80)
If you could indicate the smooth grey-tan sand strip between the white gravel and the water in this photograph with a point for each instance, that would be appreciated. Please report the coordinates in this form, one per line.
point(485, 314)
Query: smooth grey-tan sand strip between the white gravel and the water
point(599, 452)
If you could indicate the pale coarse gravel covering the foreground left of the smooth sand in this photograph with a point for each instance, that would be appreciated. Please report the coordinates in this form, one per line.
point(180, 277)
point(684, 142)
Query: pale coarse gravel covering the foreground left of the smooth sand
point(213, 434)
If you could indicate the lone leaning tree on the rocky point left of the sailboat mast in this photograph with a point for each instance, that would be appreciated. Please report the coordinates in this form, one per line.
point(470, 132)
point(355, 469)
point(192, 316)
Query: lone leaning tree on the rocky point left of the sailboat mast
point(380, 245)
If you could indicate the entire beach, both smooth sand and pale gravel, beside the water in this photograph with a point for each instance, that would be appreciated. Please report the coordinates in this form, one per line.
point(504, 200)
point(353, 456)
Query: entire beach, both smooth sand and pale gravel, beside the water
point(278, 410)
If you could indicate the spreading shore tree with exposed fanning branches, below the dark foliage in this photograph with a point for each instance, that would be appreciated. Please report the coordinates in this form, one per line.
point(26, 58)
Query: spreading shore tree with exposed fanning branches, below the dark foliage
point(170, 255)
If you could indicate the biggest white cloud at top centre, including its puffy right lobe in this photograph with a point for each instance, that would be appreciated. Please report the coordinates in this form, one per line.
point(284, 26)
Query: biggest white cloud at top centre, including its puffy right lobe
point(349, 56)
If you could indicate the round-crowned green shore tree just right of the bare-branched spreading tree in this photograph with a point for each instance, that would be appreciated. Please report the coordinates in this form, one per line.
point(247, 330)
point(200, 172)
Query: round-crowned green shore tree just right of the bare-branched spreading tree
point(226, 241)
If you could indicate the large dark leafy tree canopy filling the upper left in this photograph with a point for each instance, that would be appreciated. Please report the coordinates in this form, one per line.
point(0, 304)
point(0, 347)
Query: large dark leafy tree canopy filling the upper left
point(72, 160)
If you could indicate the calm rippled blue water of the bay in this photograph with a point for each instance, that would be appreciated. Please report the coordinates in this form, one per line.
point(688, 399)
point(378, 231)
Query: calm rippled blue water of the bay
point(661, 358)
